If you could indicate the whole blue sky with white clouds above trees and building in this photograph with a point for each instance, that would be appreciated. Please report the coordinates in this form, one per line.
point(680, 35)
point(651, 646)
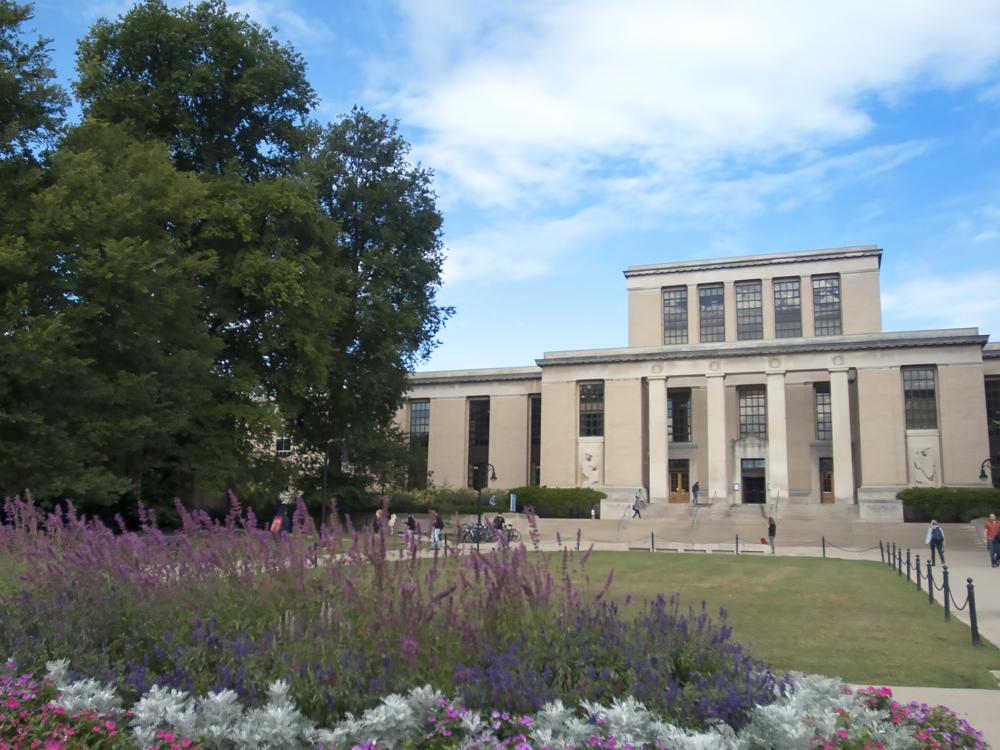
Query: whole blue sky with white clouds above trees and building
point(573, 139)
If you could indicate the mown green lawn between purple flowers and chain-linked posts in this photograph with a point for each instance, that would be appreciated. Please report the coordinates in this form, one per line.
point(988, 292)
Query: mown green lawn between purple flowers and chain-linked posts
point(857, 620)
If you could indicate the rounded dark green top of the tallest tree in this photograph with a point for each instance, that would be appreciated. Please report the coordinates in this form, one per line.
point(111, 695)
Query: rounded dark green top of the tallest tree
point(213, 85)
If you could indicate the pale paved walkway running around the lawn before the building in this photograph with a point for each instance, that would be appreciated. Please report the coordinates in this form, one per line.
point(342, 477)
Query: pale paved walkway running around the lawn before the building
point(709, 533)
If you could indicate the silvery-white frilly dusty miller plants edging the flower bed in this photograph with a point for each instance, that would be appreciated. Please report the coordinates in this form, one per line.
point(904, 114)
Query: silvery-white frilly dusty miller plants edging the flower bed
point(218, 722)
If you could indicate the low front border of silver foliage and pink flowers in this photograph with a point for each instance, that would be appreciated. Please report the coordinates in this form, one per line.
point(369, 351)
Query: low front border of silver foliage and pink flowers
point(811, 713)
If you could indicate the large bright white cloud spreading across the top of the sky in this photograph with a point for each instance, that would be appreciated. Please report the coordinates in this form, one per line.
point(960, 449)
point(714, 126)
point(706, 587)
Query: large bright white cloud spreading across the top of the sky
point(518, 101)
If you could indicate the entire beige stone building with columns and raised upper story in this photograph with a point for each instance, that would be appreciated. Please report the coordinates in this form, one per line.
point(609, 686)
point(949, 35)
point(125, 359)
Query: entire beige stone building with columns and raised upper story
point(762, 379)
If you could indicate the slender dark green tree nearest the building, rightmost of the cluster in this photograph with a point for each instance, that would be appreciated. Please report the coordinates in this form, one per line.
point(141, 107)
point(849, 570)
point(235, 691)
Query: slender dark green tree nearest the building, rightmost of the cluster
point(389, 242)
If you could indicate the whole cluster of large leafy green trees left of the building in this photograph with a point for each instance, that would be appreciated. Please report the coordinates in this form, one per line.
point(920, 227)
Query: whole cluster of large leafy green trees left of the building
point(196, 266)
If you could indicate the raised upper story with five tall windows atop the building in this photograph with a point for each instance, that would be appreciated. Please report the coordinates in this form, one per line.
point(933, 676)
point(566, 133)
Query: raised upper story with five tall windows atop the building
point(756, 298)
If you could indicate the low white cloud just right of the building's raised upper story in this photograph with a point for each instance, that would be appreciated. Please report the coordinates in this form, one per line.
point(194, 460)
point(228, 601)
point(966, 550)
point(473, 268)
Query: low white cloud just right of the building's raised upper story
point(964, 300)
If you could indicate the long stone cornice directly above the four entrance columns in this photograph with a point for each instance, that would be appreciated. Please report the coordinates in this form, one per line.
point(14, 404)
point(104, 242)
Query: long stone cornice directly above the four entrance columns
point(863, 342)
